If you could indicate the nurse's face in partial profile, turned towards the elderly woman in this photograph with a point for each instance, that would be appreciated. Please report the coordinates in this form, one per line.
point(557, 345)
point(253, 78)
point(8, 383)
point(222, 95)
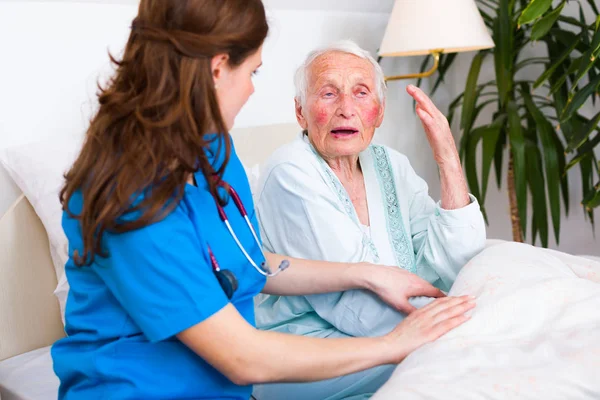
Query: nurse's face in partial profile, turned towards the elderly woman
point(234, 86)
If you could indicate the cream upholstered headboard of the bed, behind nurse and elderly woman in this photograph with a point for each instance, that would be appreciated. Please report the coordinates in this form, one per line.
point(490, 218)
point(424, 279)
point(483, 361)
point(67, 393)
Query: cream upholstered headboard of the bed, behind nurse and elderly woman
point(29, 312)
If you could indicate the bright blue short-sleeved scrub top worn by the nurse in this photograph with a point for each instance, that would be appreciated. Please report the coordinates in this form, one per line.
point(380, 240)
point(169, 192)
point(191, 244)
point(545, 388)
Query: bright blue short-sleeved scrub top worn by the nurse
point(124, 311)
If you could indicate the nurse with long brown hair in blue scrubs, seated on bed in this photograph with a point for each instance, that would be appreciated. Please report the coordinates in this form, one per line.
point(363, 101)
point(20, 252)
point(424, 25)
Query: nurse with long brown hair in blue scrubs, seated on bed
point(165, 253)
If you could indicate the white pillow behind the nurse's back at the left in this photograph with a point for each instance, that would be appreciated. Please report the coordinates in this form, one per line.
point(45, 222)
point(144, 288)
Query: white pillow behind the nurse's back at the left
point(38, 169)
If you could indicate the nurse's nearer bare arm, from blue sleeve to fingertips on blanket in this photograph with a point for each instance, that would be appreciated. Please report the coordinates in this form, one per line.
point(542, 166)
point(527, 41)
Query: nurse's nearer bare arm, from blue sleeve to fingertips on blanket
point(247, 356)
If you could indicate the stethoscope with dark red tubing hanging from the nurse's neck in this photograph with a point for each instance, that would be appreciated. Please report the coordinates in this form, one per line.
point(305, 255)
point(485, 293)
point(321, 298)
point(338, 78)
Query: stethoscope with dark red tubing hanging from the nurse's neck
point(226, 278)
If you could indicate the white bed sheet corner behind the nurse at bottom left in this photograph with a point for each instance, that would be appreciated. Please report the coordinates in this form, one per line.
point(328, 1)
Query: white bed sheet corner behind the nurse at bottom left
point(29, 377)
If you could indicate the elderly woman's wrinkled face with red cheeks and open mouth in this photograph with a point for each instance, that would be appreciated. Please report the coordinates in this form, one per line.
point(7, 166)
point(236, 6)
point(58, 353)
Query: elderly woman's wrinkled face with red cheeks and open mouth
point(342, 107)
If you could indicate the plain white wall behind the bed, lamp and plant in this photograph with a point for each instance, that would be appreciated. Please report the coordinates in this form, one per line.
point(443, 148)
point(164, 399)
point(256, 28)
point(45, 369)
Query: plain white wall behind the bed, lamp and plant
point(54, 51)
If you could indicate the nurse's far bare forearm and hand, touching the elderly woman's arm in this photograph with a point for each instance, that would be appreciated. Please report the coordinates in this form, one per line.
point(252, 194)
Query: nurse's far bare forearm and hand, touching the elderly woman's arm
point(305, 277)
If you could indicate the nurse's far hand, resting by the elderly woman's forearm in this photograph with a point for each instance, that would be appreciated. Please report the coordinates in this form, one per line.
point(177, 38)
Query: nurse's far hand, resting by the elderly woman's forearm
point(395, 286)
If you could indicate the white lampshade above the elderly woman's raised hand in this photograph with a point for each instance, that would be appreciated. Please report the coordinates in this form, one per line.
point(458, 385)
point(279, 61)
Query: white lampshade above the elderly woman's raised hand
point(416, 27)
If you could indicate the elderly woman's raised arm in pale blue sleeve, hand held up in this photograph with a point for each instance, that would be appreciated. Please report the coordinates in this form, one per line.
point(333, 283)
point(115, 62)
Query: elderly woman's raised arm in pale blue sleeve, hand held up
point(446, 235)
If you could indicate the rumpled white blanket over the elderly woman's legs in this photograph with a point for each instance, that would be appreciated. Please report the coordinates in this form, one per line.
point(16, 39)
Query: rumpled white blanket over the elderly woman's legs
point(535, 333)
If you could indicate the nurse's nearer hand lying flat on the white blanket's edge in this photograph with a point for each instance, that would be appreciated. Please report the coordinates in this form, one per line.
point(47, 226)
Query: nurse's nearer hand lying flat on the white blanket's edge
point(427, 324)
